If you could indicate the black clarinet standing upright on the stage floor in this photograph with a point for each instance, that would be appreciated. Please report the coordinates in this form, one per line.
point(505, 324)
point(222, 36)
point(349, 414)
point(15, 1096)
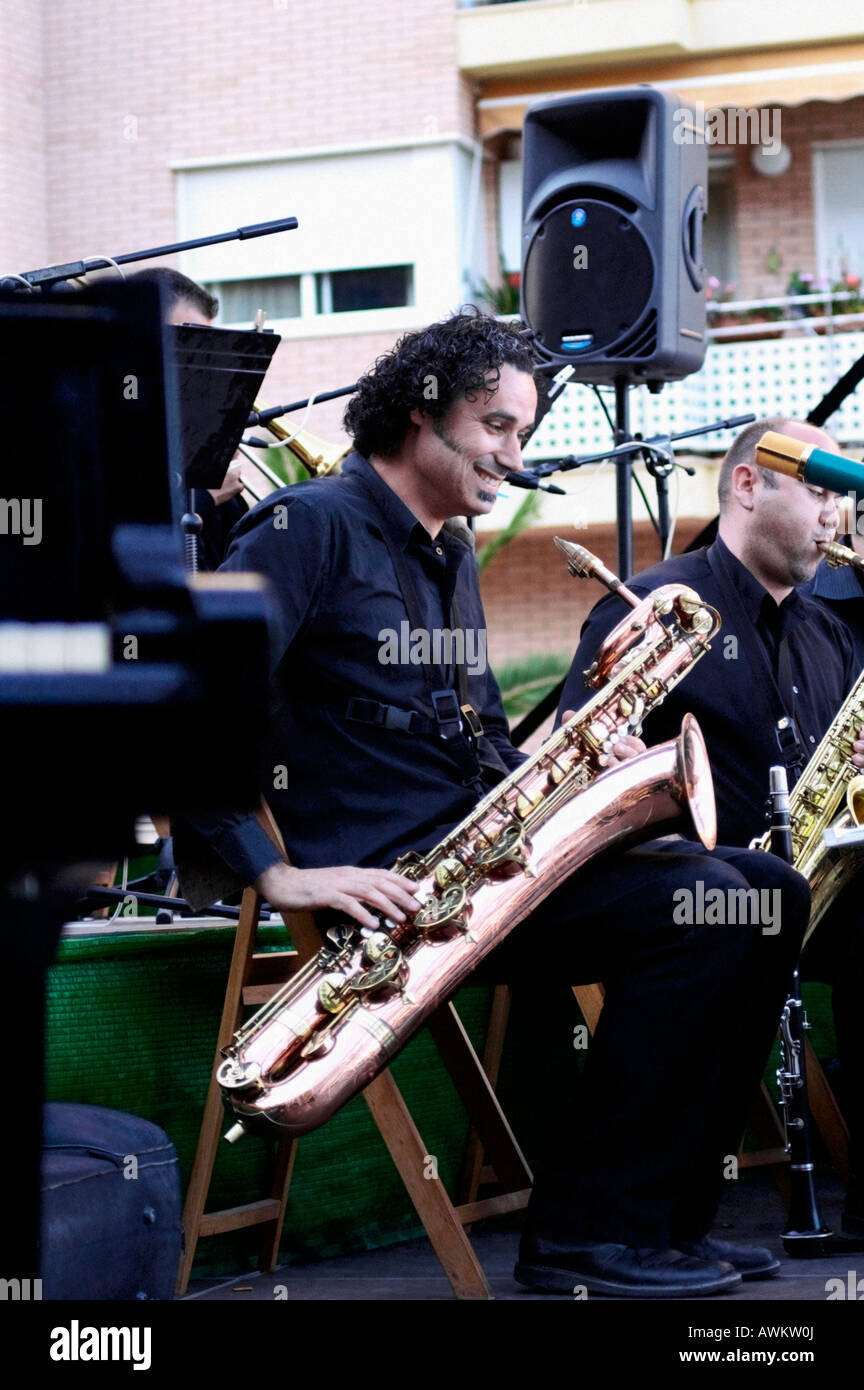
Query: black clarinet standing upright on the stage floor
point(806, 1235)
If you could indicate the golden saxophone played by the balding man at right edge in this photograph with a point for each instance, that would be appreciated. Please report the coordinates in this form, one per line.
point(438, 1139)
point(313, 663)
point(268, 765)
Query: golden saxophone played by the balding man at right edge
point(829, 782)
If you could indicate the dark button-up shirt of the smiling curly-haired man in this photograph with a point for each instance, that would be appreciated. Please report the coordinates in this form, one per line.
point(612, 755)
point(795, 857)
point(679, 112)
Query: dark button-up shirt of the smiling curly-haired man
point(345, 792)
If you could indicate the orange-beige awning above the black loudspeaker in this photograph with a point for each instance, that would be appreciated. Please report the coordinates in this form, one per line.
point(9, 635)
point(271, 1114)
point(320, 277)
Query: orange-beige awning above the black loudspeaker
point(752, 84)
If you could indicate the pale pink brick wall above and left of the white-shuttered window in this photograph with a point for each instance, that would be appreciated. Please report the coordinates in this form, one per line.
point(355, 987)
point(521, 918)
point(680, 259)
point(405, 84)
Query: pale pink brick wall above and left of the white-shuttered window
point(133, 88)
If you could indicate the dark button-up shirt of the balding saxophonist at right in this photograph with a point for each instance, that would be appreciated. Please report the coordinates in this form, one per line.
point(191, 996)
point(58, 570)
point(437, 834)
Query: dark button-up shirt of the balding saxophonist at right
point(769, 661)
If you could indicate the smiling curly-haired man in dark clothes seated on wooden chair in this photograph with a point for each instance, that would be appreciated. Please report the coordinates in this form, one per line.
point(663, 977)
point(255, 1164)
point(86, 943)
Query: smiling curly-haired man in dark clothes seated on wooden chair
point(379, 762)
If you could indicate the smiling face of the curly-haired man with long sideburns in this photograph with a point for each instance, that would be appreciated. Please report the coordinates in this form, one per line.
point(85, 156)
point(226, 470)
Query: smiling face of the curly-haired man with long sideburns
point(462, 459)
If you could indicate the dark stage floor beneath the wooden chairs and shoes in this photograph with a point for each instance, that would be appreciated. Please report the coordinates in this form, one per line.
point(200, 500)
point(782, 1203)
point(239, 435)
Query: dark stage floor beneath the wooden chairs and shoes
point(752, 1213)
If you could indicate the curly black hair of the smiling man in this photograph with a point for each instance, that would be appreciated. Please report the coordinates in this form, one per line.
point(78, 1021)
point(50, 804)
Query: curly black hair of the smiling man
point(430, 370)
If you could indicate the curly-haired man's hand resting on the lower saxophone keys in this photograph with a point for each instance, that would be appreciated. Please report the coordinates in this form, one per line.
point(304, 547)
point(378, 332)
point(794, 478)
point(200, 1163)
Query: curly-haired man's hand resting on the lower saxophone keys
point(345, 889)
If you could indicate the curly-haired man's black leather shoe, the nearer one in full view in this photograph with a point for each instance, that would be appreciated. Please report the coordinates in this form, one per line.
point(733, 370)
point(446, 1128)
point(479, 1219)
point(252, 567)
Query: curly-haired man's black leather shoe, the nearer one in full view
point(622, 1271)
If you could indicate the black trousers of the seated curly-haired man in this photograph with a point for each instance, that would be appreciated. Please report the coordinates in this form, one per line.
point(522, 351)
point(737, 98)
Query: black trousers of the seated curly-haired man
point(690, 1017)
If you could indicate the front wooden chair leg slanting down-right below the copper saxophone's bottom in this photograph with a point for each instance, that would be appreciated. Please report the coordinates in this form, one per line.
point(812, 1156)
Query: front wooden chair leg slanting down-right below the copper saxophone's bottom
point(431, 1202)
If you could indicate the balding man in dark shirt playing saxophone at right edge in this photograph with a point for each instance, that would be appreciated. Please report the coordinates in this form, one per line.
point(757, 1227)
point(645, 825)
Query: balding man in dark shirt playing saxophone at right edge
point(779, 672)
